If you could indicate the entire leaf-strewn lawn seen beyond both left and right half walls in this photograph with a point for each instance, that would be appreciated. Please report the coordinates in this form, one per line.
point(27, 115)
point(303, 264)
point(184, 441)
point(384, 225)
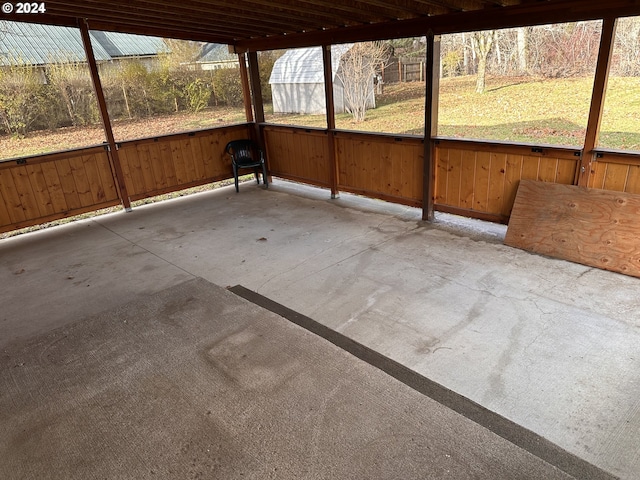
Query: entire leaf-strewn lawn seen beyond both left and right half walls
point(538, 111)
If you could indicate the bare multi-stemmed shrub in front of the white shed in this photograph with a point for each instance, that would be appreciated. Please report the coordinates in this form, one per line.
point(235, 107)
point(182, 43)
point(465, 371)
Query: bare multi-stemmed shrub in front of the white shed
point(358, 67)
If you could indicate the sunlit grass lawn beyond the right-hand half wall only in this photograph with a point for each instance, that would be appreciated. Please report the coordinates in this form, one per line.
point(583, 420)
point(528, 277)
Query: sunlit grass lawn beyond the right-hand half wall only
point(521, 110)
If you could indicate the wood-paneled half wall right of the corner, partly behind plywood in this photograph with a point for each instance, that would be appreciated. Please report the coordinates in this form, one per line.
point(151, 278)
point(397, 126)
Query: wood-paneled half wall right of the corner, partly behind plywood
point(474, 179)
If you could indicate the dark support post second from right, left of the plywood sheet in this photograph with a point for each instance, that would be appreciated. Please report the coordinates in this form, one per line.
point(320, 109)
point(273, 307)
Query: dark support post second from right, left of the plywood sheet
point(432, 81)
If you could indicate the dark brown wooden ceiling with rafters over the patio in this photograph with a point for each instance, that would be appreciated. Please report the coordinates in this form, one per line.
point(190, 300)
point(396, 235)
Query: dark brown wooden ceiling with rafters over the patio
point(269, 24)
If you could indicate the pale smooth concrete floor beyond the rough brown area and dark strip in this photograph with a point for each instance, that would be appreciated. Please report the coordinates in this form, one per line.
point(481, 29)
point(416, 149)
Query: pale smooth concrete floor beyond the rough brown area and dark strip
point(548, 344)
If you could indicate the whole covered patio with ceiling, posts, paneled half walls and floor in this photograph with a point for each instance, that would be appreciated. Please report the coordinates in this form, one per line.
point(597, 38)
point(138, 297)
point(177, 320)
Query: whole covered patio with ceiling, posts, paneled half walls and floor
point(193, 338)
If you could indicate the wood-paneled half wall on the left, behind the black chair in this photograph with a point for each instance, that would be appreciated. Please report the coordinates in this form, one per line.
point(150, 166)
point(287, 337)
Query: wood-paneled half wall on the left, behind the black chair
point(44, 188)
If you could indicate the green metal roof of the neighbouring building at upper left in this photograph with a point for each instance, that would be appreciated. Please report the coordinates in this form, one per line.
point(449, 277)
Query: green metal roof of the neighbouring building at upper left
point(36, 44)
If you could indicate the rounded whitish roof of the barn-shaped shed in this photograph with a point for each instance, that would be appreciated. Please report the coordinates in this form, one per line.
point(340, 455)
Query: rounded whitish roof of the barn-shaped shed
point(304, 65)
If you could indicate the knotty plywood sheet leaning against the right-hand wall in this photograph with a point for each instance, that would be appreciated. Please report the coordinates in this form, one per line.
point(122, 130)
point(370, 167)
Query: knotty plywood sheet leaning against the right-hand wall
point(599, 228)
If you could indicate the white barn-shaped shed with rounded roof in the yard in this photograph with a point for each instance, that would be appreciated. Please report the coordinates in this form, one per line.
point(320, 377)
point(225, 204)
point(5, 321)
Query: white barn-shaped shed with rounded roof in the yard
point(297, 81)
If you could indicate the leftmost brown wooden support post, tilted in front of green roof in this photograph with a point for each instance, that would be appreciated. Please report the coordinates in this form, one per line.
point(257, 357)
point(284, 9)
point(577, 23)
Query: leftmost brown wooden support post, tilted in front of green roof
point(104, 115)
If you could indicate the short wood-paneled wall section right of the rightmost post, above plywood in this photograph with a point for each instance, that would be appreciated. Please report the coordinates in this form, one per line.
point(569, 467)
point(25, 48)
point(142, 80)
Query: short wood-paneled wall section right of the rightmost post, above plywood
point(618, 172)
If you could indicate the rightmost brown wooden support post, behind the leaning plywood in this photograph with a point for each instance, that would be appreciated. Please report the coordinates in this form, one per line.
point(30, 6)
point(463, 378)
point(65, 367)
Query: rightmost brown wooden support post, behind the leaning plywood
point(597, 99)
